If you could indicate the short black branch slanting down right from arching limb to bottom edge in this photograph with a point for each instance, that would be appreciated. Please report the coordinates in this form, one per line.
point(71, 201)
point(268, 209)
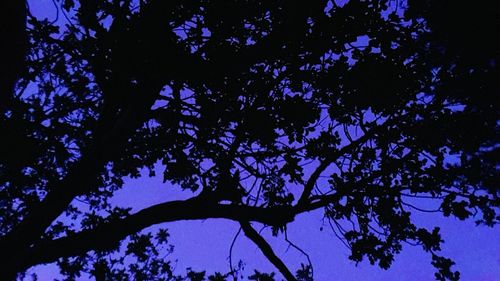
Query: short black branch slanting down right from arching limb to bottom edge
point(266, 250)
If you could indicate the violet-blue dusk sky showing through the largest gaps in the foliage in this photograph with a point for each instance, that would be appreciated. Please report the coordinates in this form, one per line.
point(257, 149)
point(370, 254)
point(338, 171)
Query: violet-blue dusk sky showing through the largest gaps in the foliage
point(204, 245)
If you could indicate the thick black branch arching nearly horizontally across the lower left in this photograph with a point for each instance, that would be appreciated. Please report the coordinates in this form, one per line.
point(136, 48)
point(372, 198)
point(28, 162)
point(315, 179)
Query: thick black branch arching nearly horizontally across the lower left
point(109, 234)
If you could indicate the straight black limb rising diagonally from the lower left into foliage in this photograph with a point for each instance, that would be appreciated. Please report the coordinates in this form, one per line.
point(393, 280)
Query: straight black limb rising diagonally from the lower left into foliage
point(81, 177)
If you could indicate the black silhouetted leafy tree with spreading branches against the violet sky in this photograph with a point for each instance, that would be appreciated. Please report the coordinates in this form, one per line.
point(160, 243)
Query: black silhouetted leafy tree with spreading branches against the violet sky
point(264, 110)
